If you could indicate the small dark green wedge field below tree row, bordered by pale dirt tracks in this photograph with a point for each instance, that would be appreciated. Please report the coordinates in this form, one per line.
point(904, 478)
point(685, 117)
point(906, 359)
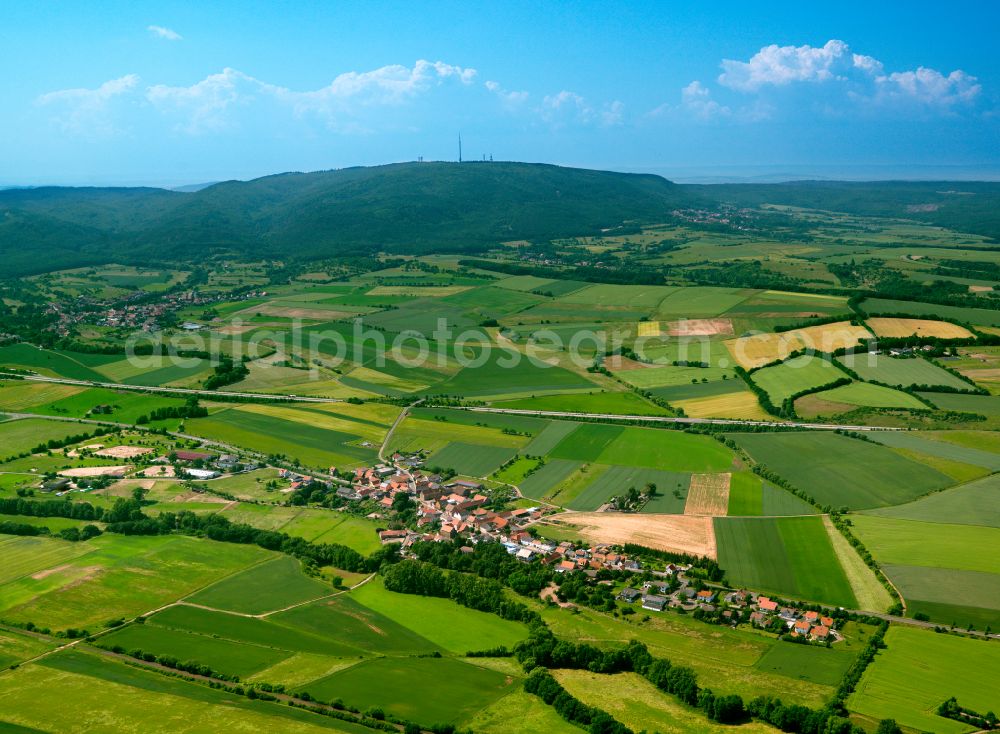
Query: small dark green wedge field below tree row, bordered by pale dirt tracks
point(272, 585)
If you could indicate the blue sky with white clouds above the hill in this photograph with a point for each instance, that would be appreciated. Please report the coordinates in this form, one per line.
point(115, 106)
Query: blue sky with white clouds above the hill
point(170, 93)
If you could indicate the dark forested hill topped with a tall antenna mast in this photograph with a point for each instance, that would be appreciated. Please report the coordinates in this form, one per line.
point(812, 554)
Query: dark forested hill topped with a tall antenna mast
point(406, 208)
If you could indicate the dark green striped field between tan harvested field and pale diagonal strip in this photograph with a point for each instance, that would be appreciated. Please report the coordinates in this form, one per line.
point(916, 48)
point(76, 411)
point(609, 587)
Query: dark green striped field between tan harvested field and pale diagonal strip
point(790, 556)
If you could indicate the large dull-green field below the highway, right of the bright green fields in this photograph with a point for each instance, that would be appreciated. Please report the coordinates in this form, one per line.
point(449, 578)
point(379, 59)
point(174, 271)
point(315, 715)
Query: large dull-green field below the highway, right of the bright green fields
point(842, 471)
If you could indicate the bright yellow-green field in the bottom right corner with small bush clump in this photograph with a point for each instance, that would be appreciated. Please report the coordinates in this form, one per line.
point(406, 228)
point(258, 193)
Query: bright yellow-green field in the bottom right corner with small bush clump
point(918, 670)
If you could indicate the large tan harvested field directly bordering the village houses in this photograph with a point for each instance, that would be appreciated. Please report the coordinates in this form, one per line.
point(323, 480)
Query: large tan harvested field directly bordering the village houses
point(676, 533)
